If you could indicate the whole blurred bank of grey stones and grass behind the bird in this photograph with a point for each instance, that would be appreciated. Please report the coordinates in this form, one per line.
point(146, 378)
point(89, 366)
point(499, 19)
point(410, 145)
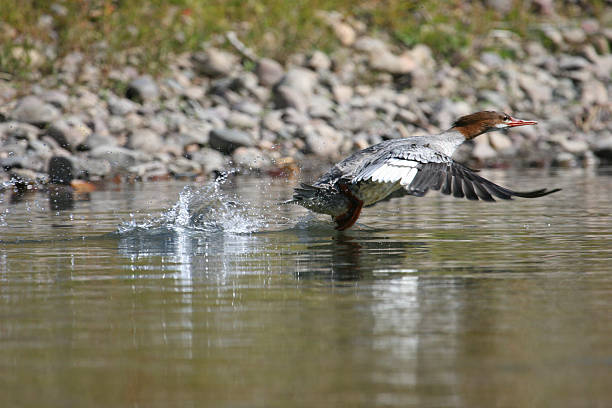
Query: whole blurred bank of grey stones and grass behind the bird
point(184, 88)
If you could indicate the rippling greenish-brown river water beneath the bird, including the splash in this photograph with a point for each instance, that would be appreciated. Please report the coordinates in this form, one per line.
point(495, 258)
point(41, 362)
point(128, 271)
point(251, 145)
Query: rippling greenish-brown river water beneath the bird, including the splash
point(157, 295)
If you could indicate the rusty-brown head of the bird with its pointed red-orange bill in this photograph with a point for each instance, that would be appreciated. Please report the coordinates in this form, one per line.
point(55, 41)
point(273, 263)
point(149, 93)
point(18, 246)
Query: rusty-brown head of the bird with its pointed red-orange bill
point(478, 123)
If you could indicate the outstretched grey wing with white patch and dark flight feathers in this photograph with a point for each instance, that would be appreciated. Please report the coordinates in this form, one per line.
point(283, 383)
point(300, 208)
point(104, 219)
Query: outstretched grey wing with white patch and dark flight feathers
point(442, 173)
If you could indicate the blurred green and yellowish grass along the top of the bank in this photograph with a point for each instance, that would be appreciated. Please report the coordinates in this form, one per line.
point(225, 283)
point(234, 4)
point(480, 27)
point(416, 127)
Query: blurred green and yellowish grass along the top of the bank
point(146, 33)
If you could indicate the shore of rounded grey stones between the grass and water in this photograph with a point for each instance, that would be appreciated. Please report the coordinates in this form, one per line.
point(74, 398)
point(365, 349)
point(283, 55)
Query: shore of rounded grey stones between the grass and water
point(224, 108)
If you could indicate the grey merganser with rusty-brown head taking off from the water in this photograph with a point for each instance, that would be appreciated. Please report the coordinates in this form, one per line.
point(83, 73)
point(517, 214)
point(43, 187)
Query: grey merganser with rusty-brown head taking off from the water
point(408, 166)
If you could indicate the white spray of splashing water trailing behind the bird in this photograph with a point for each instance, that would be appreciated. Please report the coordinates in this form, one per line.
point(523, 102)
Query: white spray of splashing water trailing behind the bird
point(208, 209)
